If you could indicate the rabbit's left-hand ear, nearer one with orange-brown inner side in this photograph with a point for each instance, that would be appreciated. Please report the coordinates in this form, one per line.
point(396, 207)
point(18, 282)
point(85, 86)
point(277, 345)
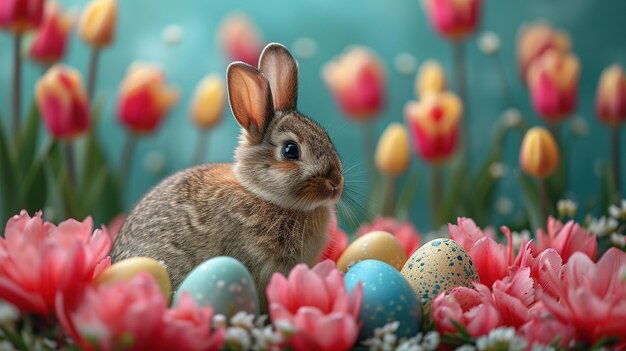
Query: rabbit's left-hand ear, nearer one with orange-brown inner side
point(250, 99)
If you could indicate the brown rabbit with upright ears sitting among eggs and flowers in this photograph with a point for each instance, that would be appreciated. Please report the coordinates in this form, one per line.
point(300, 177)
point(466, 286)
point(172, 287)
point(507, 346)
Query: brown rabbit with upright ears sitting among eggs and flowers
point(270, 209)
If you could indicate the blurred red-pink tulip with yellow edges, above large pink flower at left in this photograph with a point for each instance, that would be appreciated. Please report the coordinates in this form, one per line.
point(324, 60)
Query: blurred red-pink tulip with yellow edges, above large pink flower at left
point(63, 103)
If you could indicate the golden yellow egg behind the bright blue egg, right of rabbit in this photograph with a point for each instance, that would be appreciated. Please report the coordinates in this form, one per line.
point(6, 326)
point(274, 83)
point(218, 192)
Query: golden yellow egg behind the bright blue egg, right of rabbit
point(377, 245)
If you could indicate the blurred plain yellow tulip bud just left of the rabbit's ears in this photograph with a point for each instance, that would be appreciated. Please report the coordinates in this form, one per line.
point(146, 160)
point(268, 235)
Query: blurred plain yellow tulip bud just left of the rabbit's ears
point(207, 106)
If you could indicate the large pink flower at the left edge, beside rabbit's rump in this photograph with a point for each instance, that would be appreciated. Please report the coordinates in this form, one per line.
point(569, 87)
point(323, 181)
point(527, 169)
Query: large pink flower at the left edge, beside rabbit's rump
point(38, 260)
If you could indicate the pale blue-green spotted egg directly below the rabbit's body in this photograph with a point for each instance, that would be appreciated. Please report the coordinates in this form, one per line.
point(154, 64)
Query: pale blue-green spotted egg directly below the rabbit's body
point(222, 283)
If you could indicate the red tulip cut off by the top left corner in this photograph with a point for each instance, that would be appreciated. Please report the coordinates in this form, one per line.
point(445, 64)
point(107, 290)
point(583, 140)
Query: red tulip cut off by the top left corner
point(18, 16)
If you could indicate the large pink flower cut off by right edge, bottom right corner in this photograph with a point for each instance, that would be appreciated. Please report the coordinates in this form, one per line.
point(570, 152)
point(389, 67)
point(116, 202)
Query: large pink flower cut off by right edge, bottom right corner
point(591, 296)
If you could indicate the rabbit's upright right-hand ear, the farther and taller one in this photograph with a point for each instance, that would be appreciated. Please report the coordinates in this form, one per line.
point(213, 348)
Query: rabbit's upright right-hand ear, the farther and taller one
point(281, 69)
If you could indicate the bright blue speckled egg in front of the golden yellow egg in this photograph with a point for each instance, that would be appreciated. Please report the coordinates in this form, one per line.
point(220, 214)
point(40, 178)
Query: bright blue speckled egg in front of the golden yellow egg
point(387, 297)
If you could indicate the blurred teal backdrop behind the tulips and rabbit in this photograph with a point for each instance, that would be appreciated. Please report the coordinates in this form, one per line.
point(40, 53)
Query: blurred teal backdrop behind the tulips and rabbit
point(597, 28)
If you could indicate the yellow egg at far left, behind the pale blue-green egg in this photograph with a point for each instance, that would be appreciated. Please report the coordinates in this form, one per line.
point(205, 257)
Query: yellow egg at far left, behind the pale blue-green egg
point(127, 269)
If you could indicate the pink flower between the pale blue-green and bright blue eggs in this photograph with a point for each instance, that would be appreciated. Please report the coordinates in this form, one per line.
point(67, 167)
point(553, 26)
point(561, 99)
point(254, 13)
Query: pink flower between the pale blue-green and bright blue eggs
point(316, 303)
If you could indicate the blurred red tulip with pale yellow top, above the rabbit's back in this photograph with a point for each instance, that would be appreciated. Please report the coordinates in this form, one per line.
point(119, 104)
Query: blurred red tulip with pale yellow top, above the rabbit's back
point(144, 99)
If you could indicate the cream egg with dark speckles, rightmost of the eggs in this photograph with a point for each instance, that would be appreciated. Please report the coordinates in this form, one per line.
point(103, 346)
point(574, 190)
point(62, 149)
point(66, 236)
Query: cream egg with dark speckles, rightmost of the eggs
point(439, 265)
